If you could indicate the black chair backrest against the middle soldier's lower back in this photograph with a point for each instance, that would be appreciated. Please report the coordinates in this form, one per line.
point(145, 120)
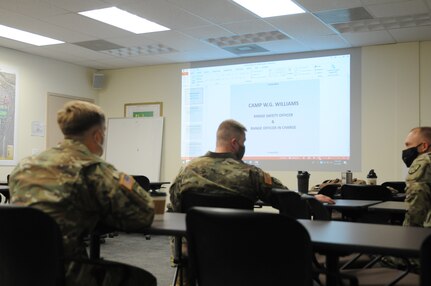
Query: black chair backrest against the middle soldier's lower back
point(192, 198)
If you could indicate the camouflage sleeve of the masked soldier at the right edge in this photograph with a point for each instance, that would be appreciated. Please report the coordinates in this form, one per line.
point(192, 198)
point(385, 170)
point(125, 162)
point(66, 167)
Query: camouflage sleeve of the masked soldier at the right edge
point(418, 193)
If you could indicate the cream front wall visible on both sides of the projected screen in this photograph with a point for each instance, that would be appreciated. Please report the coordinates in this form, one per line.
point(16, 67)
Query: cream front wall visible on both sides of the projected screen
point(391, 94)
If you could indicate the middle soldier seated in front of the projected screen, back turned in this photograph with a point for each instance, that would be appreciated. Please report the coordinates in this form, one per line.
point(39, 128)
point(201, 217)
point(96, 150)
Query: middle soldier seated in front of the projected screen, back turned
point(223, 171)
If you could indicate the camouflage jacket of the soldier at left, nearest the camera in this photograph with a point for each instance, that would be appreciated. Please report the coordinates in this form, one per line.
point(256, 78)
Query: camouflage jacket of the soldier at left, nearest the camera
point(79, 190)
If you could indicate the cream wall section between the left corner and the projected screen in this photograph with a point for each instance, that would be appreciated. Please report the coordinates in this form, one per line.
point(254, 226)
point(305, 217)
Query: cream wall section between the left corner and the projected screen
point(150, 84)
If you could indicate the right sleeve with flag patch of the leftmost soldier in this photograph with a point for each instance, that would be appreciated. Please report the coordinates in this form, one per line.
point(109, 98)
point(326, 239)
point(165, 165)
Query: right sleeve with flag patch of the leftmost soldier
point(125, 204)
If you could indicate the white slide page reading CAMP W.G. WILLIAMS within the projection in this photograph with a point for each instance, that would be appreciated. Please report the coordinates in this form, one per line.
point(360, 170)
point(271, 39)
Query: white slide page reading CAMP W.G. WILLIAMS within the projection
point(278, 111)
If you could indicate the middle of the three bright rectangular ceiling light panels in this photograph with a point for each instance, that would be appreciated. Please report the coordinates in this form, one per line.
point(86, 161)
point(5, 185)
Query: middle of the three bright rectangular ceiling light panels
point(124, 20)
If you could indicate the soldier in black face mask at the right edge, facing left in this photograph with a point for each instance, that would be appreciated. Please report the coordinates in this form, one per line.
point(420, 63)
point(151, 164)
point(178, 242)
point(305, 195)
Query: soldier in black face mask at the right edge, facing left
point(417, 157)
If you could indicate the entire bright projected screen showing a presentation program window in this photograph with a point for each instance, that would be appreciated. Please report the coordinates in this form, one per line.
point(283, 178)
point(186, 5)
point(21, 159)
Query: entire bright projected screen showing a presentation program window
point(297, 112)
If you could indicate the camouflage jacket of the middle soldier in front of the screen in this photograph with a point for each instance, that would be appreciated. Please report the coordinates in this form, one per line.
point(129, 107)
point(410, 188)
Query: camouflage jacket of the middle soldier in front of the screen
point(222, 173)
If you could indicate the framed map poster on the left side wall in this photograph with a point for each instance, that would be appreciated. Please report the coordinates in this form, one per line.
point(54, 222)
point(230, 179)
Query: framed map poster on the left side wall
point(8, 118)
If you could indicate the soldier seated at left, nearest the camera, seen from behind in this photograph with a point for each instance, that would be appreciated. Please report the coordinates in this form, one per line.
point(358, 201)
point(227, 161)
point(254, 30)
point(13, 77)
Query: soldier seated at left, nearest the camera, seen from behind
point(79, 190)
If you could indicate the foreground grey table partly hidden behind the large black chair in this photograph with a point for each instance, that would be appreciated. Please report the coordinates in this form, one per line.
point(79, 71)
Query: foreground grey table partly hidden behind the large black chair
point(334, 238)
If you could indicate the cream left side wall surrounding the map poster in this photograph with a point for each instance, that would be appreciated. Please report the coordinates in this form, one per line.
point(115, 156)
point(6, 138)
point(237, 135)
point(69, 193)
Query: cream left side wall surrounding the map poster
point(37, 76)
